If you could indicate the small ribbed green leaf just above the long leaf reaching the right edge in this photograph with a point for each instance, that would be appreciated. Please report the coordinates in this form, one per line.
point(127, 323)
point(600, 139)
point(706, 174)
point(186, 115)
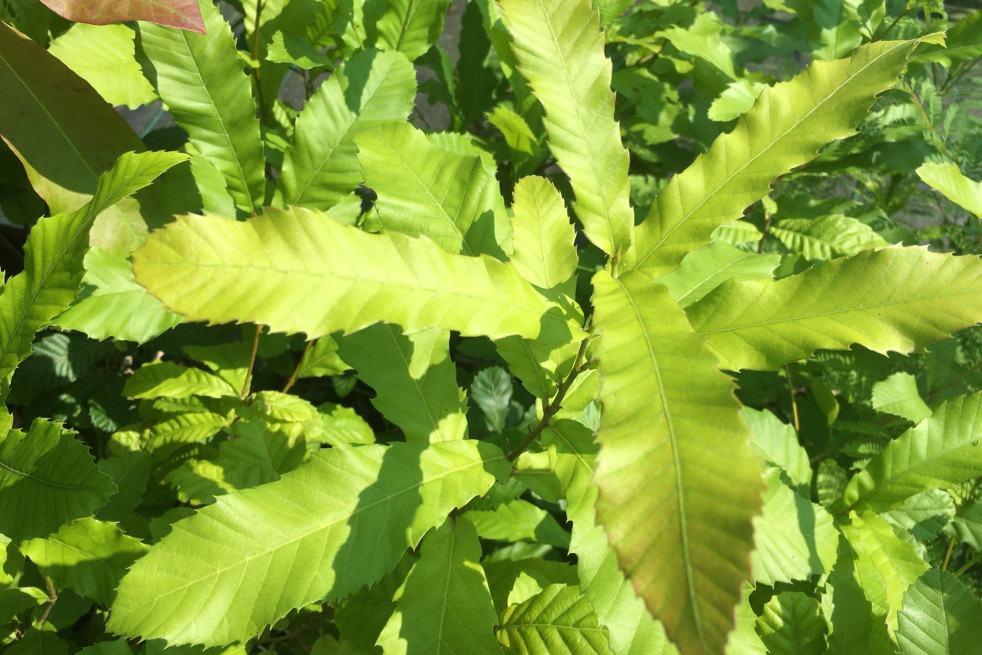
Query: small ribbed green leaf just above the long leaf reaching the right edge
point(827, 236)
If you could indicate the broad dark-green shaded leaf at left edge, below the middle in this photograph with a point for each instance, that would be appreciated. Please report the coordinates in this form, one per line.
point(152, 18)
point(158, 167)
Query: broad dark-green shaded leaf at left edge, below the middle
point(47, 479)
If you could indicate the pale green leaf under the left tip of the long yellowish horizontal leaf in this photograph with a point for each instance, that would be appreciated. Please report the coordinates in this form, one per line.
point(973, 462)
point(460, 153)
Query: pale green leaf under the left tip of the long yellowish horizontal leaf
point(112, 305)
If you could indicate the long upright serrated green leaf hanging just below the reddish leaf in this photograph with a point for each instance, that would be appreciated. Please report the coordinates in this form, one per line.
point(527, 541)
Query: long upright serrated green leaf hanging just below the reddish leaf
point(200, 79)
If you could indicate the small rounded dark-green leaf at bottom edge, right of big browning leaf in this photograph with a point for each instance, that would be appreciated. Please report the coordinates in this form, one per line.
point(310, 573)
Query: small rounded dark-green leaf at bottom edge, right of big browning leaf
point(792, 624)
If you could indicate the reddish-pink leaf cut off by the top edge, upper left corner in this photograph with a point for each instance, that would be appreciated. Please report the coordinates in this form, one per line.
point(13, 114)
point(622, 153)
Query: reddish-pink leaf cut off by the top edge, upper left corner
point(182, 14)
